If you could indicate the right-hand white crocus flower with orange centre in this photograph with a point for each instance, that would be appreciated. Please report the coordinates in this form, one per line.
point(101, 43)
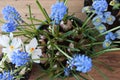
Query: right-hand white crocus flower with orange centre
point(35, 53)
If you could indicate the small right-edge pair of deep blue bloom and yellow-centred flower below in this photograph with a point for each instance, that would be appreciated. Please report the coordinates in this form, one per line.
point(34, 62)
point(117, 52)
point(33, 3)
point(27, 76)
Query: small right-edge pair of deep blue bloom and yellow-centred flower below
point(108, 39)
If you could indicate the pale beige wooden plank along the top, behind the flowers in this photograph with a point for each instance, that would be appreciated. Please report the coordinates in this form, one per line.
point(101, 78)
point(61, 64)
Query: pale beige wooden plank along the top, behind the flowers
point(75, 6)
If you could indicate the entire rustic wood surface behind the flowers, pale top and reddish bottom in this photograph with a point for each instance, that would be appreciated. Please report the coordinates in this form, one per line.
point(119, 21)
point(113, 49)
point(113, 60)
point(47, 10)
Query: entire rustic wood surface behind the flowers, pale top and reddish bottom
point(112, 58)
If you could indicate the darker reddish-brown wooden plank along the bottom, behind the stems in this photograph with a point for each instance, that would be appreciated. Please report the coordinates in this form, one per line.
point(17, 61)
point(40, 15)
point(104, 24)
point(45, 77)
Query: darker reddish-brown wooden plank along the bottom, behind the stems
point(112, 59)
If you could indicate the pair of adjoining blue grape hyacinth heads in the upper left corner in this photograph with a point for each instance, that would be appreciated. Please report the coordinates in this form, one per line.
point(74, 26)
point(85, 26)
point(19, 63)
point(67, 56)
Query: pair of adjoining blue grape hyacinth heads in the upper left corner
point(11, 16)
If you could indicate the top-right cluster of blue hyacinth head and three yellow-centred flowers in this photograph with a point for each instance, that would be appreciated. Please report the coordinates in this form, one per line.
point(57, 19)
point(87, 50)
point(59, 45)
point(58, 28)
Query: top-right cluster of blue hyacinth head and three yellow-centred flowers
point(102, 15)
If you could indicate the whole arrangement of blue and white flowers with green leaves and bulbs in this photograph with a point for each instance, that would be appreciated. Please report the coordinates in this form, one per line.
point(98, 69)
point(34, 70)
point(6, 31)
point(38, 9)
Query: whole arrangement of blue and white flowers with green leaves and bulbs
point(62, 45)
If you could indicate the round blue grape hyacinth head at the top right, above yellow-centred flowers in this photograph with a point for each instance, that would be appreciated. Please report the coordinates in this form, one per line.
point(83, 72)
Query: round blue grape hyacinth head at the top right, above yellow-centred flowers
point(100, 6)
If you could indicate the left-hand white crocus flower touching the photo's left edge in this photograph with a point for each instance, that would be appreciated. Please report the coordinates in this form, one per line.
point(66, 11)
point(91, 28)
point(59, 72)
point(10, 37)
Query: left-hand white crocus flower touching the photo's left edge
point(10, 44)
